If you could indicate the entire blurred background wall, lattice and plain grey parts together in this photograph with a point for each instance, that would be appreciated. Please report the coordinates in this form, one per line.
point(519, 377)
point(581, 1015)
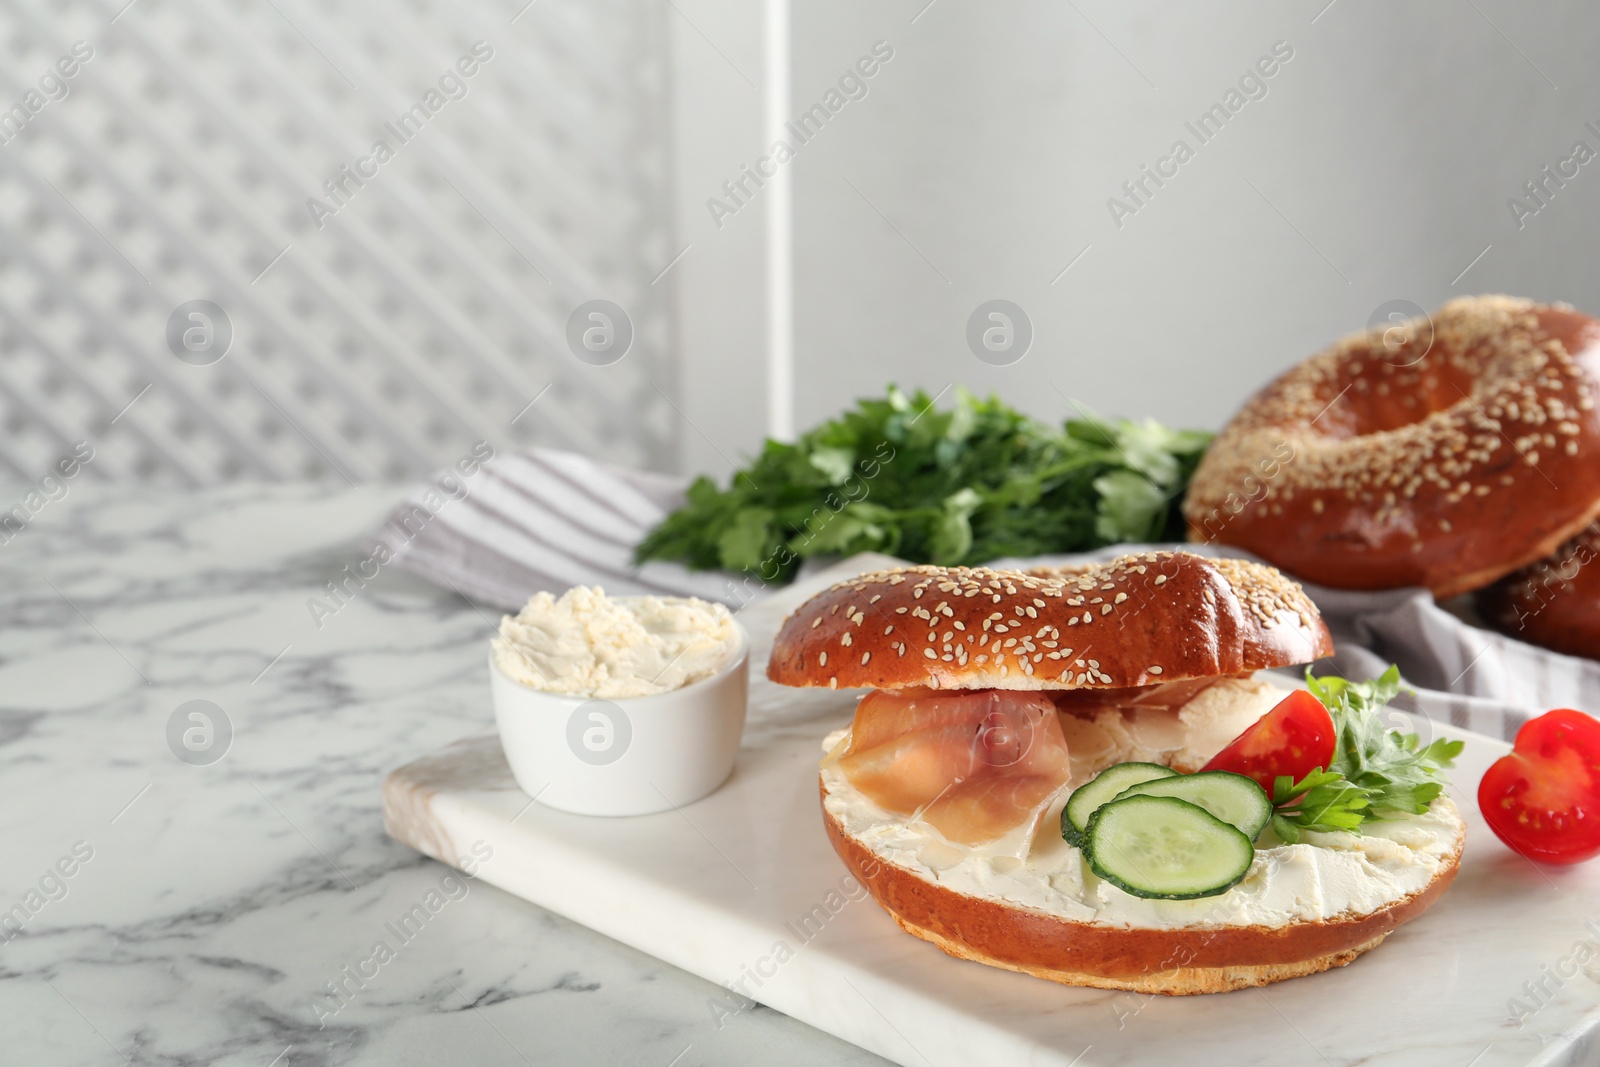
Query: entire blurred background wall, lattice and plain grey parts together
point(996, 153)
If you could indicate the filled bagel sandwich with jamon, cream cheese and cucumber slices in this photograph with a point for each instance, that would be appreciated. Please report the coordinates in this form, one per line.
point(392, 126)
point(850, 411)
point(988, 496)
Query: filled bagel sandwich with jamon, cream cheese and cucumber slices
point(998, 701)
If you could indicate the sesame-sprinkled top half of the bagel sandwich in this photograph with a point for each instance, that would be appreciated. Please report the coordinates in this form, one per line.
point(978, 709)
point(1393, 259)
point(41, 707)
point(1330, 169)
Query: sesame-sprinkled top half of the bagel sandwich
point(1138, 620)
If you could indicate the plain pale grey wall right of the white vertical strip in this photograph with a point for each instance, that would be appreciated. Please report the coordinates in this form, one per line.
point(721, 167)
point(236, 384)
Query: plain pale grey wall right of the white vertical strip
point(1383, 153)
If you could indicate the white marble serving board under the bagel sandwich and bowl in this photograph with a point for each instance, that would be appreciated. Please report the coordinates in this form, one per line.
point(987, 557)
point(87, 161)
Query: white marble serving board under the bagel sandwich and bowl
point(719, 889)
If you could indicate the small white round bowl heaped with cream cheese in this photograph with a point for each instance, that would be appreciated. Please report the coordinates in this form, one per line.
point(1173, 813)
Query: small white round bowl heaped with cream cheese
point(620, 705)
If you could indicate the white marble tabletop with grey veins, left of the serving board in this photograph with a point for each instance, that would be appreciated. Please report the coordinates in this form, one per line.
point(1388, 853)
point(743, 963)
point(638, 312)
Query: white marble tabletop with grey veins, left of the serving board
point(218, 900)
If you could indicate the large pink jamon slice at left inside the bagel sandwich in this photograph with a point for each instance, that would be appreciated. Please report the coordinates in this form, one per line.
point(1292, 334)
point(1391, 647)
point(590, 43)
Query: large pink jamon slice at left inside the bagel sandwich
point(972, 764)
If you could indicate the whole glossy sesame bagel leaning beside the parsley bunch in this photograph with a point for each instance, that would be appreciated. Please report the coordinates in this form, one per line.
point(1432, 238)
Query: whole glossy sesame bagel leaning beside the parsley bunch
point(1444, 455)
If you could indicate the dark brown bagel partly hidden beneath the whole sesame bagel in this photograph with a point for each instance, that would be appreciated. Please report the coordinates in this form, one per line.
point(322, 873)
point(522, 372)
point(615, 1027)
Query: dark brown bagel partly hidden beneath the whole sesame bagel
point(1554, 602)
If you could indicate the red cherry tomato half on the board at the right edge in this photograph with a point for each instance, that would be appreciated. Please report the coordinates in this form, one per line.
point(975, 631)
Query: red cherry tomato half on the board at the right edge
point(1545, 799)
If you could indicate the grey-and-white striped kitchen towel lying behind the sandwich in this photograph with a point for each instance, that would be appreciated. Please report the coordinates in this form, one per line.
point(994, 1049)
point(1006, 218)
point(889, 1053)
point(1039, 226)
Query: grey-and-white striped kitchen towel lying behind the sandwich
point(546, 521)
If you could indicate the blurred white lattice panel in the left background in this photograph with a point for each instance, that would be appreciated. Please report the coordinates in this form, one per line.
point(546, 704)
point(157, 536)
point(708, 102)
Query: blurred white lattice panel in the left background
point(386, 308)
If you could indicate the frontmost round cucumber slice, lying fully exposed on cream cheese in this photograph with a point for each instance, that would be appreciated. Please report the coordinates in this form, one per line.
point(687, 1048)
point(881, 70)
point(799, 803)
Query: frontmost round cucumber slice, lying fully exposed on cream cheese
point(1167, 849)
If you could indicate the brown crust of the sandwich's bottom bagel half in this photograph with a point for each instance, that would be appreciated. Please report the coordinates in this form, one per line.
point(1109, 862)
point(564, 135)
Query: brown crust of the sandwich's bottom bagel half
point(1148, 961)
